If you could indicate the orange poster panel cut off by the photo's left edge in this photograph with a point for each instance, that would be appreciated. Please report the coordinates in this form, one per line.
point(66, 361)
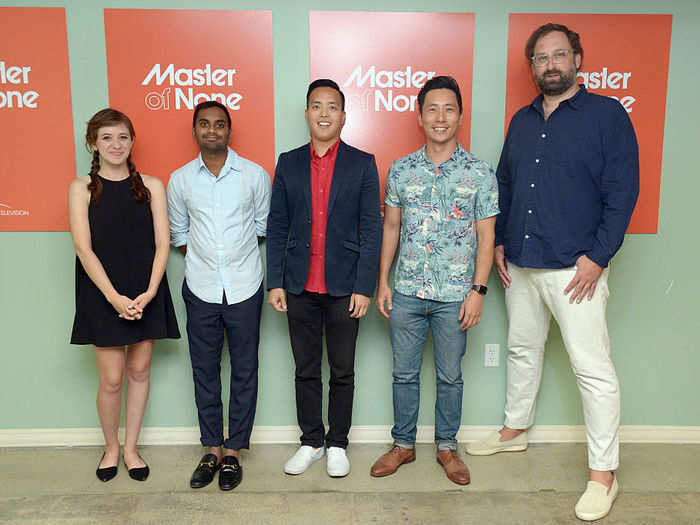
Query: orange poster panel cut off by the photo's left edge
point(36, 121)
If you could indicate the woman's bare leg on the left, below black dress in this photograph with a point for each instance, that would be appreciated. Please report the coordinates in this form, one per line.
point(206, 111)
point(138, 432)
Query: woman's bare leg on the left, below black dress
point(111, 364)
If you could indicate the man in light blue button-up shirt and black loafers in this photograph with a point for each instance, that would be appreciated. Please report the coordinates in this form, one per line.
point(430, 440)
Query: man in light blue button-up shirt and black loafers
point(218, 206)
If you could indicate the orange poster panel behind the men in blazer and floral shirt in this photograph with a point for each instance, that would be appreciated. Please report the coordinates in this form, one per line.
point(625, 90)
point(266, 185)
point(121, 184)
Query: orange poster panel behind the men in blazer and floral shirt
point(380, 61)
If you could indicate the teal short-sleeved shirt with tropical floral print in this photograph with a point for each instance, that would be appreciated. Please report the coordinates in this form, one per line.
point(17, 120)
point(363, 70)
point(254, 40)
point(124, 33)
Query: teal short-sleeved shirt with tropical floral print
point(439, 206)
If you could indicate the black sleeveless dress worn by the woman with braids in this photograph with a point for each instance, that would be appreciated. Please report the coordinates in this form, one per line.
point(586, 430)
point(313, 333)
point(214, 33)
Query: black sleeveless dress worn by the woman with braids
point(121, 230)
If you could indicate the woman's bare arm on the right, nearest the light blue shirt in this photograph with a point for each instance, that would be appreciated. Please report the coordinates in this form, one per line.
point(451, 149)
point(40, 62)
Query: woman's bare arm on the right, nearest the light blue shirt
point(161, 230)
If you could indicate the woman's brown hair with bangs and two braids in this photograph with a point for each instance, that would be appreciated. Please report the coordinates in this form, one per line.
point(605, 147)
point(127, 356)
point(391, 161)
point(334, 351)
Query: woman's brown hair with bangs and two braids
point(101, 119)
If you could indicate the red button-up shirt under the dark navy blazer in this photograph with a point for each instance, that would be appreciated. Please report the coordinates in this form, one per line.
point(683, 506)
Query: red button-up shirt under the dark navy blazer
point(321, 178)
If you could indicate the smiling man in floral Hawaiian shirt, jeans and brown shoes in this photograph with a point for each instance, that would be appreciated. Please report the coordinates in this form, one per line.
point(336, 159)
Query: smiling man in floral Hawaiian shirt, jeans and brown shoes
point(441, 206)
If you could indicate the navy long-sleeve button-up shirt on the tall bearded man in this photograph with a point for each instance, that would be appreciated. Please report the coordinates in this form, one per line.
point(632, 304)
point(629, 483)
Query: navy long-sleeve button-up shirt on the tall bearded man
point(567, 184)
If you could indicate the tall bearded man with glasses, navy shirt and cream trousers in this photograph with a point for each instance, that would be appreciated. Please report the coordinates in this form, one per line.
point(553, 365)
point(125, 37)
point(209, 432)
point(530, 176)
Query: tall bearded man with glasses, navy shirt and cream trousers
point(568, 181)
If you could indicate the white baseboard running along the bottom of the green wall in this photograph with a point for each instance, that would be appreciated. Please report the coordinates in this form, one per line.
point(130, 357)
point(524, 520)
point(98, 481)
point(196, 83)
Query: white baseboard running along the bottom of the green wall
point(79, 437)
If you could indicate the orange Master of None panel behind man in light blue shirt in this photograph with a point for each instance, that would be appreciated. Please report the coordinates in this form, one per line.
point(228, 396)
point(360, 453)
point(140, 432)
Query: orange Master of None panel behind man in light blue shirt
point(161, 63)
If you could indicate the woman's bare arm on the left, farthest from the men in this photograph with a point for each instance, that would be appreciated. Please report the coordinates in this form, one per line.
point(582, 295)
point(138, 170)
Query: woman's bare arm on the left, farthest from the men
point(78, 203)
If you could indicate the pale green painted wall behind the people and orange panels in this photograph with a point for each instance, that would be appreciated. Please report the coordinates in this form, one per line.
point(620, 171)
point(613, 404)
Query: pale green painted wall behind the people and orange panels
point(654, 305)
